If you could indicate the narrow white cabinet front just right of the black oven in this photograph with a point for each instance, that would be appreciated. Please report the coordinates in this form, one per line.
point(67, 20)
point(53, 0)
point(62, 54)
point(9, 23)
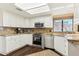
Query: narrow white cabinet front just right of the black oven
point(49, 41)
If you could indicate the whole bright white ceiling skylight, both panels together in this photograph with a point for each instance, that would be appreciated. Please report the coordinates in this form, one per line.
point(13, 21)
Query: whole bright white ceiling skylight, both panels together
point(33, 8)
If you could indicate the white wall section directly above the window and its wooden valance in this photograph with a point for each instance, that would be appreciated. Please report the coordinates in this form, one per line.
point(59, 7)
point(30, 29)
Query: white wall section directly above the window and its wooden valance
point(63, 10)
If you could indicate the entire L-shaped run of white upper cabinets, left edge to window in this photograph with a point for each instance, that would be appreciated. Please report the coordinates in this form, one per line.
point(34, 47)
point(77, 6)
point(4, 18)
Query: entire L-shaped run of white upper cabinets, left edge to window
point(9, 19)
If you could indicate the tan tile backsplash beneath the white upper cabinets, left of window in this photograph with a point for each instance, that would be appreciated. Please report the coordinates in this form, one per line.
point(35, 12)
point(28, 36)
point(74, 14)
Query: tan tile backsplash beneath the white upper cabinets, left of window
point(10, 31)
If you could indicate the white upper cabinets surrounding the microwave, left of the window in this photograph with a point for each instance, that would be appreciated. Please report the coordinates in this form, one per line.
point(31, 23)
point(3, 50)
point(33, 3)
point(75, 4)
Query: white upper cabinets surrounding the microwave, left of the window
point(46, 20)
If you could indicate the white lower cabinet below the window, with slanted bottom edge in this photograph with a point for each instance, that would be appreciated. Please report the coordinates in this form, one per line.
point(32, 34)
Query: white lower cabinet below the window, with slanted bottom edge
point(61, 44)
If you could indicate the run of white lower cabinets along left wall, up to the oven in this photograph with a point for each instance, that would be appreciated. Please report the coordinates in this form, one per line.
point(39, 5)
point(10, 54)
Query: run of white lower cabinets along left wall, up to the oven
point(17, 41)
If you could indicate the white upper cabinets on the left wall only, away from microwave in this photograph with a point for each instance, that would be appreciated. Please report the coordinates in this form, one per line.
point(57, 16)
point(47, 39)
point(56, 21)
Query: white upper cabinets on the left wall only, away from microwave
point(13, 20)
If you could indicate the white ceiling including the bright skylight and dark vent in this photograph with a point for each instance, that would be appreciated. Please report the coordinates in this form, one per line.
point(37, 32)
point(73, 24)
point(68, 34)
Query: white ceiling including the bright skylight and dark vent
point(47, 7)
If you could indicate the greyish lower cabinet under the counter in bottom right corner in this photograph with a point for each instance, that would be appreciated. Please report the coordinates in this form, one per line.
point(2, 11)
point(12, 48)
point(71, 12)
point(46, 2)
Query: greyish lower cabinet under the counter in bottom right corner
point(73, 48)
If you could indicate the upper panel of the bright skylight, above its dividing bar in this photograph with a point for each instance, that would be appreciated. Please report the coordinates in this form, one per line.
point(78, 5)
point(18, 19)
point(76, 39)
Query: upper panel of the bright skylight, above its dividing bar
point(26, 6)
